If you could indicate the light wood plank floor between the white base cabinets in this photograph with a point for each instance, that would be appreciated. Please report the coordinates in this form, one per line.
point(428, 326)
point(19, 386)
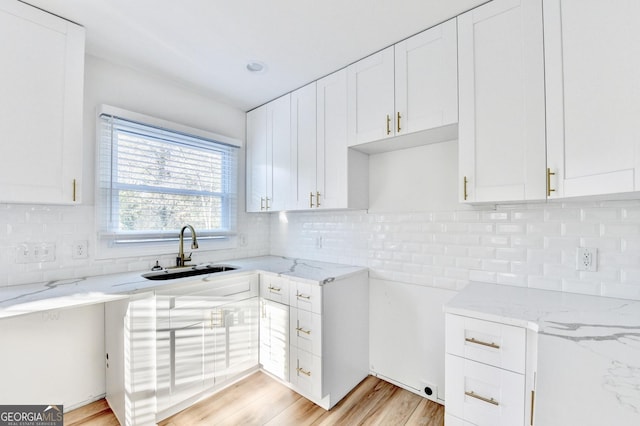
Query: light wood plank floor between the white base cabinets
point(261, 400)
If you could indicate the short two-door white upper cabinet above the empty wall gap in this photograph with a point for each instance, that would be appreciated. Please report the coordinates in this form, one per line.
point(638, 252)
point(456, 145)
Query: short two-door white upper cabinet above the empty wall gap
point(404, 89)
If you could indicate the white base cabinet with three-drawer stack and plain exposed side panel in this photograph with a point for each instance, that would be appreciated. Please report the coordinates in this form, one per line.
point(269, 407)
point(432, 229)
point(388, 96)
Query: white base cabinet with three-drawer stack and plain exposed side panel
point(328, 348)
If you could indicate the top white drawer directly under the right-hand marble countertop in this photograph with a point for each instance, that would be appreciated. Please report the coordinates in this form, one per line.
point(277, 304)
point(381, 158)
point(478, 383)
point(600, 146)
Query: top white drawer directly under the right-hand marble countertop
point(488, 342)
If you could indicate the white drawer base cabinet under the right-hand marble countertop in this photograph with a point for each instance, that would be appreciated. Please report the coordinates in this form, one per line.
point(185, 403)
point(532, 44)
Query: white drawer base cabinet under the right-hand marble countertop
point(488, 373)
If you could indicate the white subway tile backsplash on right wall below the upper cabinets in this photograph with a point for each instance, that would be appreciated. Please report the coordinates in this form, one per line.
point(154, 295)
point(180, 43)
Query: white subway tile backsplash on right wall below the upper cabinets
point(525, 245)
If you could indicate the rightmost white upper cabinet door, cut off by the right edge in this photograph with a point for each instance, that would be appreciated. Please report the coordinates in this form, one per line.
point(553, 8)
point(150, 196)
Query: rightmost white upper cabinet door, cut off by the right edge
point(592, 65)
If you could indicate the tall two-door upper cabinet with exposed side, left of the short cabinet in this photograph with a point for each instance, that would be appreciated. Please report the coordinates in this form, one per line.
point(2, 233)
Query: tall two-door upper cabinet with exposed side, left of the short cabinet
point(326, 173)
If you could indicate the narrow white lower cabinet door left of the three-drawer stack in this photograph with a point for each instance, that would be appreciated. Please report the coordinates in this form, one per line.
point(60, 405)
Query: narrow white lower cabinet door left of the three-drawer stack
point(274, 338)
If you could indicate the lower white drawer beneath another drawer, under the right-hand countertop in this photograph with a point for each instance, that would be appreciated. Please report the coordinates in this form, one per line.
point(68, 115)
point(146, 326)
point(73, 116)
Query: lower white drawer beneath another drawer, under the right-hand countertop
point(483, 395)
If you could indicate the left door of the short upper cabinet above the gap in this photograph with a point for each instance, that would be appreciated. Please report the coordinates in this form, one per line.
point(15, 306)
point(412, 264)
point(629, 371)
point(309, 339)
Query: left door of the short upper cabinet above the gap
point(371, 98)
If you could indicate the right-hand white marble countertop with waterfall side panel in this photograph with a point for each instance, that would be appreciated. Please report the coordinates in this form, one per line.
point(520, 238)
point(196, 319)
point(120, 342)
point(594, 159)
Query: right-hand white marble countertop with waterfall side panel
point(588, 349)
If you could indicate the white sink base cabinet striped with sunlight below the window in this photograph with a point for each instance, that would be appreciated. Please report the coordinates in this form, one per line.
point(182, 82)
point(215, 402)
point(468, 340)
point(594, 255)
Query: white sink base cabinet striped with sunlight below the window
point(166, 349)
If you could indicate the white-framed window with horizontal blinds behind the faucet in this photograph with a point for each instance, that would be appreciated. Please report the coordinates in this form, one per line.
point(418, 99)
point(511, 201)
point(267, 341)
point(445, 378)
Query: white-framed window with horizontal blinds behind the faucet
point(154, 177)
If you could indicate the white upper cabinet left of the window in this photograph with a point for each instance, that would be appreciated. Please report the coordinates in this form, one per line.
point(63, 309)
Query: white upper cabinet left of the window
point(40, 106)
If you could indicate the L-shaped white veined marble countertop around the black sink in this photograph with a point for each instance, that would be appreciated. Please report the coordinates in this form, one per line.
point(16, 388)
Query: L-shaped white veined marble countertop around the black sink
point(25, 299)
